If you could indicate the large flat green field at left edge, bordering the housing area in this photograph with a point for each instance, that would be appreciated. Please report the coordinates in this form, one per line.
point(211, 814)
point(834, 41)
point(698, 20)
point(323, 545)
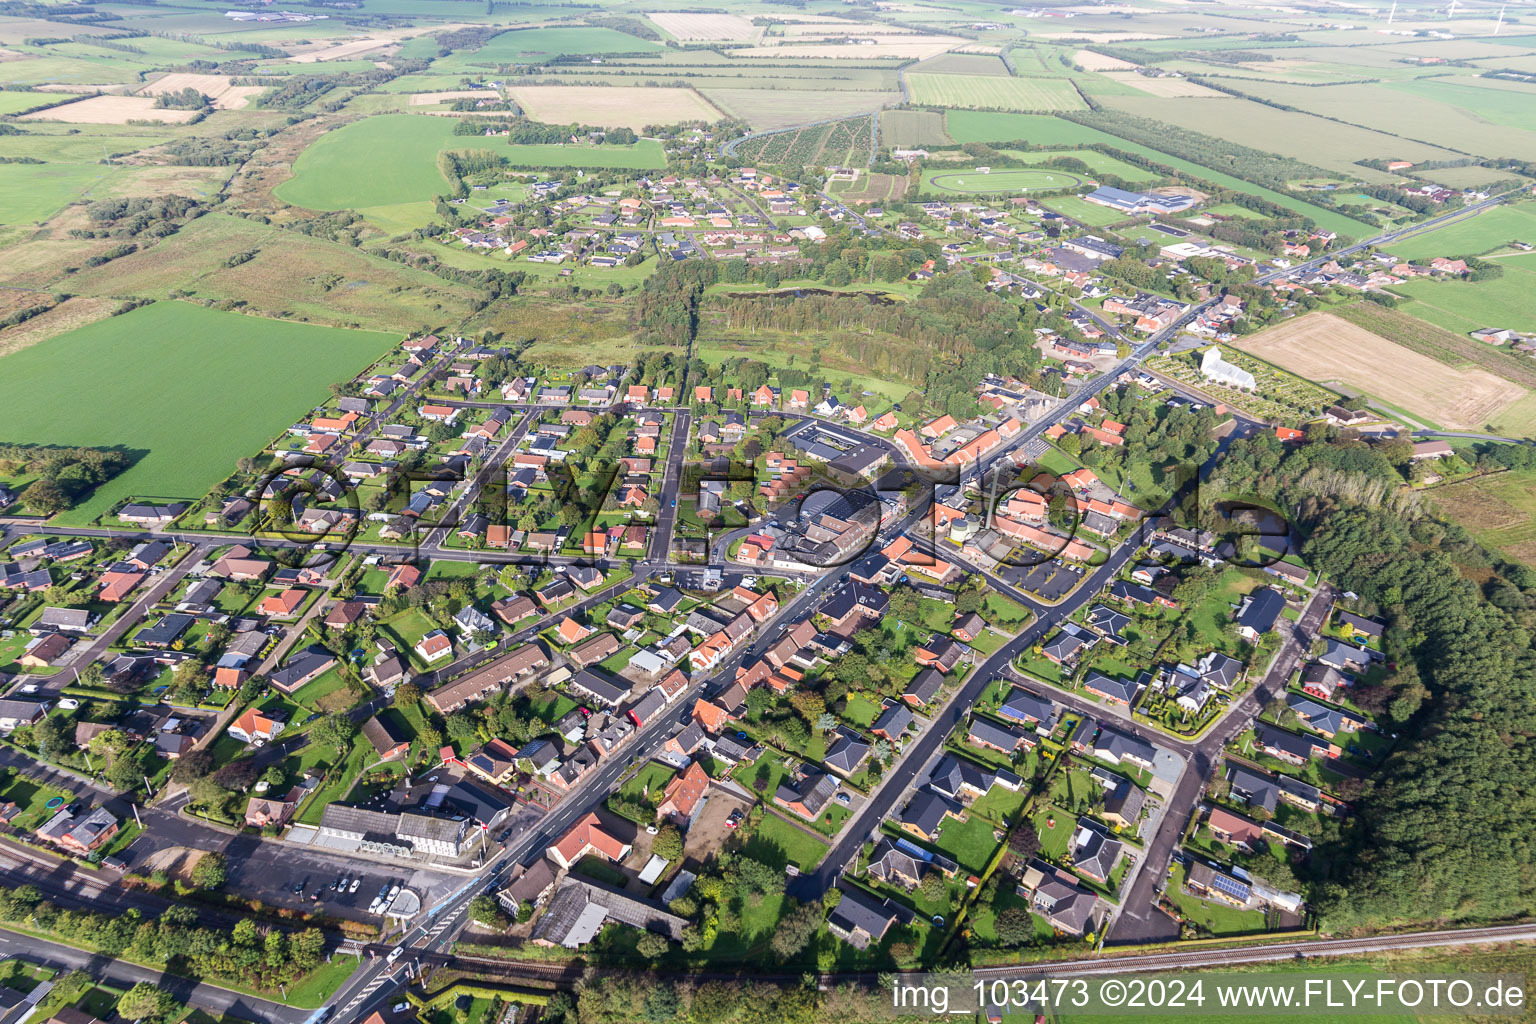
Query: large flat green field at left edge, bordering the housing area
point(185, 388)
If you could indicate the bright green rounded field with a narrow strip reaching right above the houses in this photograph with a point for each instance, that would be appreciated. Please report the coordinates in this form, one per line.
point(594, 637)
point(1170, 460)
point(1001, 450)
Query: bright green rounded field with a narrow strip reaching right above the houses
point(348, 168)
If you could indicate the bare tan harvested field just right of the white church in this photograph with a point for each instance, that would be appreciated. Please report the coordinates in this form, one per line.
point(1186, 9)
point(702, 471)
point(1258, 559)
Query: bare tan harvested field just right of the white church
point(1332, 351)
